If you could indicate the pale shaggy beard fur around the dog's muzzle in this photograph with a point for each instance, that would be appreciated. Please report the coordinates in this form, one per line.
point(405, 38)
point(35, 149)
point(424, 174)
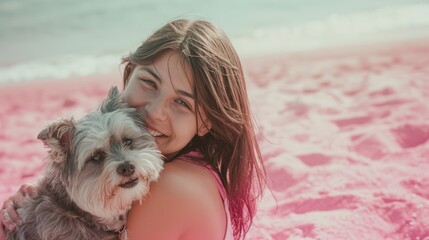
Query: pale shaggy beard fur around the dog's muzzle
point(99, 192)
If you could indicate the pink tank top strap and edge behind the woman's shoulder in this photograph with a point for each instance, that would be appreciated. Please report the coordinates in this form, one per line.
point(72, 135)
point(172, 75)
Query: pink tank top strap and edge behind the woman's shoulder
point(188, 157)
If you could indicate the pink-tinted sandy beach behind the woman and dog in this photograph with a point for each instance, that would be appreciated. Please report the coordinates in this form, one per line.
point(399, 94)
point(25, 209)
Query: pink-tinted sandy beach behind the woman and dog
point(344, 135)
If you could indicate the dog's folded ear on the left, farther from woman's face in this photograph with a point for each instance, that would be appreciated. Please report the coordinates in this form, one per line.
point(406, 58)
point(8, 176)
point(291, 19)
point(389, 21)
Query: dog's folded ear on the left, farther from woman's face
point(58, 136)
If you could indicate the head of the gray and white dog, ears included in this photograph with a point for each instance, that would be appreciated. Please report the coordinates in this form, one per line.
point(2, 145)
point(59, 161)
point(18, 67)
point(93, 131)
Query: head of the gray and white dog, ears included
point(106, 160)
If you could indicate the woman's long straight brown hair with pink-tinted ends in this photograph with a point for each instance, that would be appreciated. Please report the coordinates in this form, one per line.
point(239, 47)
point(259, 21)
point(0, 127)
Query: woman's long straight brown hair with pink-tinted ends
point(220, 90)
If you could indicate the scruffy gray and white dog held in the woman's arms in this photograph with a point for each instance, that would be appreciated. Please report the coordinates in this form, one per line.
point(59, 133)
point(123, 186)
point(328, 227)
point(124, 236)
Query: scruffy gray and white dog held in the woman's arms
point(98, 166)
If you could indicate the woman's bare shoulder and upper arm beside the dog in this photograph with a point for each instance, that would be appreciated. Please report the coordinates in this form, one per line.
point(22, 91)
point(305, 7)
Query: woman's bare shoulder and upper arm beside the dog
point(184, 203)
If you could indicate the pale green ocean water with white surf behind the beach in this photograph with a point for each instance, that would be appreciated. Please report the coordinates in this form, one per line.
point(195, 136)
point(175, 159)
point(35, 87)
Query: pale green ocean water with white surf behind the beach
point(41, 39)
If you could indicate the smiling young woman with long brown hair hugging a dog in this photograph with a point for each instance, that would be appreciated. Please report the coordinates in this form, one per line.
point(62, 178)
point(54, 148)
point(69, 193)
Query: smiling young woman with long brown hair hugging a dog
point(187, 82)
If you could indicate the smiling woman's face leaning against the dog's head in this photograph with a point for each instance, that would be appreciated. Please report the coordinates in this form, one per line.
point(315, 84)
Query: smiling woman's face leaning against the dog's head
point(162, 94)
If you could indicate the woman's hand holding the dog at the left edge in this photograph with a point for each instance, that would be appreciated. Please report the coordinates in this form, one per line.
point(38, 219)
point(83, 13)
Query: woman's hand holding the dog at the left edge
point(9, 217)
